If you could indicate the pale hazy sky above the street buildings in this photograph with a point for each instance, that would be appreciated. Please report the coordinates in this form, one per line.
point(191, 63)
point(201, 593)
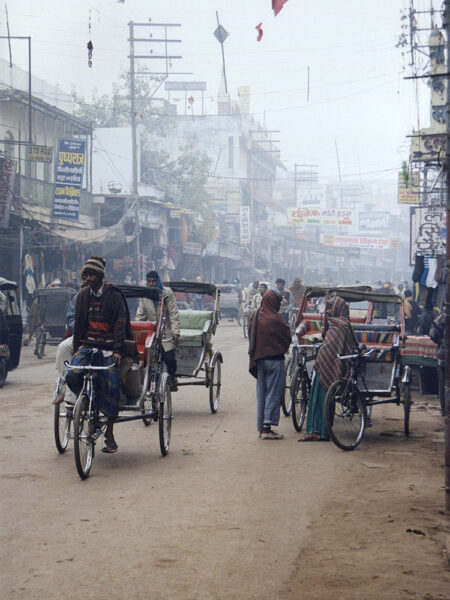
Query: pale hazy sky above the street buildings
point(358, 99)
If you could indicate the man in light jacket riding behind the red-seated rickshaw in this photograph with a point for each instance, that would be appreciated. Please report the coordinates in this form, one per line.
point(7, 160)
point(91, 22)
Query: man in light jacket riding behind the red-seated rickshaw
point(149, 311)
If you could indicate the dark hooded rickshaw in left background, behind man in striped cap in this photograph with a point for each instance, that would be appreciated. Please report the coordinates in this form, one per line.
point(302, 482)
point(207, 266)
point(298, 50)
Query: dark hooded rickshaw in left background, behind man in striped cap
point(53, 304)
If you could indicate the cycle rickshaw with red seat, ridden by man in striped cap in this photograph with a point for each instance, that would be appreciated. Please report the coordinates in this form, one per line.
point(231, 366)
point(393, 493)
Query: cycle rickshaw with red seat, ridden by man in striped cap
point(145, 390)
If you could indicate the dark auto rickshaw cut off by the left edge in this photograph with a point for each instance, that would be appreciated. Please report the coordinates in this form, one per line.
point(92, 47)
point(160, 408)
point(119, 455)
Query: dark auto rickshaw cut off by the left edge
point(11, 328)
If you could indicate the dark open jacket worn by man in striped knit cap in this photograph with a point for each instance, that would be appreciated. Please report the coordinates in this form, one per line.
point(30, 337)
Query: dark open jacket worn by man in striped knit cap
point(116, 314)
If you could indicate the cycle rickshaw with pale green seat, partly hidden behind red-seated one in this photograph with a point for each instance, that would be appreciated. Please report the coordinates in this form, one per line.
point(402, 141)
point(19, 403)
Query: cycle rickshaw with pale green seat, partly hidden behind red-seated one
point(197, 362)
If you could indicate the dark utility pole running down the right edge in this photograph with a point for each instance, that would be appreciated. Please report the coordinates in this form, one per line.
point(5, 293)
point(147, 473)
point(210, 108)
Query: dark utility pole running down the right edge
point(447, 283)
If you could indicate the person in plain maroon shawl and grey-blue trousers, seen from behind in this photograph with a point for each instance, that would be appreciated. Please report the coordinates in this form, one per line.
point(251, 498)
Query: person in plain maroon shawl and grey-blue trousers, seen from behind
point(269, 340)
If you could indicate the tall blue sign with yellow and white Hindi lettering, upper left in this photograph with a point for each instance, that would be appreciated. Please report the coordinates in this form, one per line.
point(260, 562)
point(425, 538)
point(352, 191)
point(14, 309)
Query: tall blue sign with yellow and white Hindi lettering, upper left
point(68, 179)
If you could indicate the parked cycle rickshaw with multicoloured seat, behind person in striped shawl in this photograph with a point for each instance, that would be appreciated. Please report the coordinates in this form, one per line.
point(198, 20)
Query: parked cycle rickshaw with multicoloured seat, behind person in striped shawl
point(375, 372)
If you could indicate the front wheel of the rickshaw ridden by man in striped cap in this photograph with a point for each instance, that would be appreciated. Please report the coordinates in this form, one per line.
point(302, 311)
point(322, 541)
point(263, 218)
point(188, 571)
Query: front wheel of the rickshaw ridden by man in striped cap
point(83, 438)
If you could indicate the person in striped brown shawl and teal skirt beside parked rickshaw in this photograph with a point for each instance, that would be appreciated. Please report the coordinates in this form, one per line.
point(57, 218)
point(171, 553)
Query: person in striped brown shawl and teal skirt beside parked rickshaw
point(339, 339)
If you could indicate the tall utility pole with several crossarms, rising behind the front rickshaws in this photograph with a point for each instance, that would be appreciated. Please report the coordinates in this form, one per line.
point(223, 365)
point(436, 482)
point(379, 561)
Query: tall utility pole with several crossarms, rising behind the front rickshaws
point(133, 74)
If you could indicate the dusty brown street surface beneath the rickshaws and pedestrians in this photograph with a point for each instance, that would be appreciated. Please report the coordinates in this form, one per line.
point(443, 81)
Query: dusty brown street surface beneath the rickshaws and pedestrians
point(224, 515)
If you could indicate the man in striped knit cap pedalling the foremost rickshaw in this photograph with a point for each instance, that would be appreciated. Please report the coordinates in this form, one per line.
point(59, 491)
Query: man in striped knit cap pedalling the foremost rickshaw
point(102, 321)
